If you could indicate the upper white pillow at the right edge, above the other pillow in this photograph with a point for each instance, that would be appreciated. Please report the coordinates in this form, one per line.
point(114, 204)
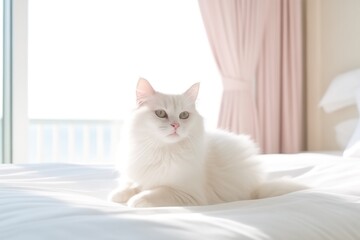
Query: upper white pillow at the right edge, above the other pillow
point(341, 91)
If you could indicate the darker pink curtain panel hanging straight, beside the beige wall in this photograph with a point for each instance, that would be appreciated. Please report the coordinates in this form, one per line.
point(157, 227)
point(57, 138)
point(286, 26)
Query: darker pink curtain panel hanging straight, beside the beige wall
point(280, 80)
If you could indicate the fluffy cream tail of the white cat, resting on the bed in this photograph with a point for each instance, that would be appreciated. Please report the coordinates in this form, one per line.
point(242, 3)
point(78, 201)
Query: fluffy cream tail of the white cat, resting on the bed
point(277, 187)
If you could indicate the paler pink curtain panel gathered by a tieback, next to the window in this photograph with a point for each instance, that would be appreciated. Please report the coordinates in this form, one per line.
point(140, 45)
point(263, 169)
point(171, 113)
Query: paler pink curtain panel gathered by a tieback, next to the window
point(235, 30)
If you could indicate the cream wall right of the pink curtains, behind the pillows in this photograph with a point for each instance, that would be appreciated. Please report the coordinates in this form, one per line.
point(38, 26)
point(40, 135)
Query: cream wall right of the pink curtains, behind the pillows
point(332, 47)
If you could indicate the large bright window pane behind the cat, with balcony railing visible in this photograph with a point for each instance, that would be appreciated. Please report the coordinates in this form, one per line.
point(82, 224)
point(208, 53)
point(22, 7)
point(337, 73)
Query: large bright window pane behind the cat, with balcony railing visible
point(84, 59)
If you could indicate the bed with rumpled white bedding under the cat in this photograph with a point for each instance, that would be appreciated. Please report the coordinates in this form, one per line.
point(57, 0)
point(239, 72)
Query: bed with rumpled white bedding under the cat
point(68, 201)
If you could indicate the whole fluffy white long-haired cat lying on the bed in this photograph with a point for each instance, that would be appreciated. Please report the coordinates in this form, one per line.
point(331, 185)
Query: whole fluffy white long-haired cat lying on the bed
point(169, 160)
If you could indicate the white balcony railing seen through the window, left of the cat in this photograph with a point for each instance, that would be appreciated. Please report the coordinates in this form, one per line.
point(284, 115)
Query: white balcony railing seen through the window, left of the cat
point(84, 141)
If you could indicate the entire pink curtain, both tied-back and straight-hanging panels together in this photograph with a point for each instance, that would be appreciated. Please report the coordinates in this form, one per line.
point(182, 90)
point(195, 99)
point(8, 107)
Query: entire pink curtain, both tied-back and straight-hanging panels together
point(258, 49)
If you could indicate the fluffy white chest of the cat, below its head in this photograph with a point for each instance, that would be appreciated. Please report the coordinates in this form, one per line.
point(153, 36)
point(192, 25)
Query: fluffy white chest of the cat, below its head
point(179, 165)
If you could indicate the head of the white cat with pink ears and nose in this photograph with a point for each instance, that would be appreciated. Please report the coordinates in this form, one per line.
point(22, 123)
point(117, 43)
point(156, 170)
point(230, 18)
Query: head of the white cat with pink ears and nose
point(167, 118)
